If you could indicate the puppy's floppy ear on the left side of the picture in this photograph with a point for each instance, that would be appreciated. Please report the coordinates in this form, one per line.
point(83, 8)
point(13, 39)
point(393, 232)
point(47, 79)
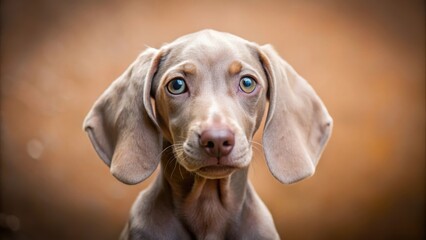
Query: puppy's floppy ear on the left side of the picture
point(121, 124)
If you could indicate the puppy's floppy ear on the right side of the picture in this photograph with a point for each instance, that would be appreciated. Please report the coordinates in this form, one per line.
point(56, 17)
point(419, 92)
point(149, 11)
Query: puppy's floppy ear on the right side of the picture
point(298, 125)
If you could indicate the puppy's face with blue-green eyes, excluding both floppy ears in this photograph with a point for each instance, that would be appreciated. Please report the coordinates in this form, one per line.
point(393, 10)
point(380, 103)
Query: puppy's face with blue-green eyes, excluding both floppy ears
point(215, 87)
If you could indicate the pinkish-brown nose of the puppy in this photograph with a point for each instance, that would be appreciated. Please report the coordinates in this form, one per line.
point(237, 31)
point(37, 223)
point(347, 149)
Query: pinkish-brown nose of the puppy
point(217, 142)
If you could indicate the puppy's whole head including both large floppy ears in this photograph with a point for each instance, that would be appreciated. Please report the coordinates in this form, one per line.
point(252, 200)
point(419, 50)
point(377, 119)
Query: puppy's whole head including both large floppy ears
point(209, 91)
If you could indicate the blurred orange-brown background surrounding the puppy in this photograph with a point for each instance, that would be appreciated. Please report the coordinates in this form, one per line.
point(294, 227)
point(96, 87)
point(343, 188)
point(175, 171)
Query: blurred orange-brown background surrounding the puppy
point(366, 59)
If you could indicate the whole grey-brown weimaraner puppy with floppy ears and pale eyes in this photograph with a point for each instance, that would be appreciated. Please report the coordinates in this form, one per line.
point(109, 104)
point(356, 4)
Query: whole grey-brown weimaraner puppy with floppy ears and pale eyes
point(194, 105)
